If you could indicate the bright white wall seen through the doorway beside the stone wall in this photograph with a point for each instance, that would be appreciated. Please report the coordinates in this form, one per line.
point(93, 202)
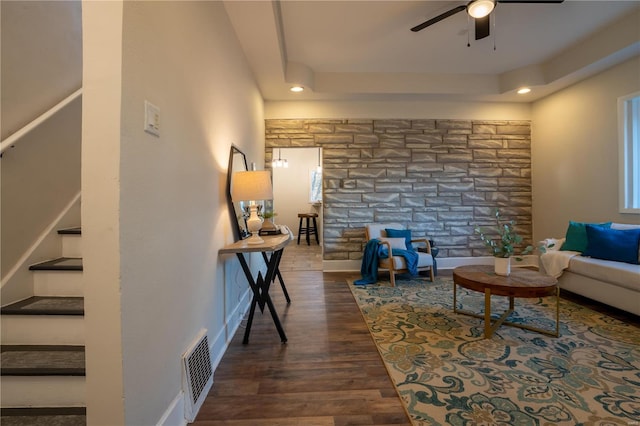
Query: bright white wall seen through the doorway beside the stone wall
point(291, 188)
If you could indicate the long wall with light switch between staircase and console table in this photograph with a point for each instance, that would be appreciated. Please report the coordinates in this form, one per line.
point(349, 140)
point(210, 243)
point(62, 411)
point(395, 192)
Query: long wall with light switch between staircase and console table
point(155, 207)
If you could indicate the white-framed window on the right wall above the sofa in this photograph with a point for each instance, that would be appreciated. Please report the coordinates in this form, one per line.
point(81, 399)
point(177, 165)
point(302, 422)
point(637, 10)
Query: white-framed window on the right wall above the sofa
point(629, 152)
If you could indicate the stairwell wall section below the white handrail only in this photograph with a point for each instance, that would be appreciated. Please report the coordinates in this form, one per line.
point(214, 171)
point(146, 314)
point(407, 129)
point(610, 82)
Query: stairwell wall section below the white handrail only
point(38, 179)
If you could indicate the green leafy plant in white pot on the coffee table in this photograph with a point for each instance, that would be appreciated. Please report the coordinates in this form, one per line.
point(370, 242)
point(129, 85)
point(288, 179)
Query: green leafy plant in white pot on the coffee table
point(502, 242)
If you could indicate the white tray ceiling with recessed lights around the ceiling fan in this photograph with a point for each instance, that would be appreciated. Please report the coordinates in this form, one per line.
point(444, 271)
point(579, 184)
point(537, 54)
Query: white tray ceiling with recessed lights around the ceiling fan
point(364, 50)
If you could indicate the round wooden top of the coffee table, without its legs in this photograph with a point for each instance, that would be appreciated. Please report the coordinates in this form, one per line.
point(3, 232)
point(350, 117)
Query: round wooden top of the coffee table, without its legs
point(521, 283)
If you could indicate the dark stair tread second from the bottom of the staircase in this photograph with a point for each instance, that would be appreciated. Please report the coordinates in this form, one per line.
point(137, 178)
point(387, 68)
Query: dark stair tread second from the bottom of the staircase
point(42, 360)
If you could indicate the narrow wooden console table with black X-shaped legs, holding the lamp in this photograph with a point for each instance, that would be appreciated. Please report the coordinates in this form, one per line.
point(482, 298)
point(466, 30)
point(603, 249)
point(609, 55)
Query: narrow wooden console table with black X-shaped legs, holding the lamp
point(275, 245)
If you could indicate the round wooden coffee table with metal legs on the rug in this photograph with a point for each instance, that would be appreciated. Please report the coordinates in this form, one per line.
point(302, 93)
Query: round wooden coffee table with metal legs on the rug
point(522, 283)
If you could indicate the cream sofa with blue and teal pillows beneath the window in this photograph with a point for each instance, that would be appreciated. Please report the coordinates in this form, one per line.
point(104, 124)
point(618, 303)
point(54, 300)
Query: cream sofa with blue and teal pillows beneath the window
point(598, 261)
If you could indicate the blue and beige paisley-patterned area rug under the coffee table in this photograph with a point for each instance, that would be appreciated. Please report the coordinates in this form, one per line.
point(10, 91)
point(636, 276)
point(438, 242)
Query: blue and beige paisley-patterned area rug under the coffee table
point(446, 372)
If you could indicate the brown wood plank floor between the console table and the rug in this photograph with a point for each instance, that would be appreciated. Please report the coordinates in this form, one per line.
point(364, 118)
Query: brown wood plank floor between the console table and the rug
point(328, 373)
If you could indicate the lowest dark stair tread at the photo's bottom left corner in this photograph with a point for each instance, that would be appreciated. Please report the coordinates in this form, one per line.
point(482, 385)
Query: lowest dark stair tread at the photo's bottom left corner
point(54, 416)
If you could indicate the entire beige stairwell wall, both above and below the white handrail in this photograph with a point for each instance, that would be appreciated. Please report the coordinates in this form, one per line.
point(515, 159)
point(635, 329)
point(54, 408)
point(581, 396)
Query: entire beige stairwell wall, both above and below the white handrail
point(41, 57)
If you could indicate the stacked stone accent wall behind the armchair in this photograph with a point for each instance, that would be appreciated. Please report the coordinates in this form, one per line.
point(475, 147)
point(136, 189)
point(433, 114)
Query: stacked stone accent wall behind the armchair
point(439, 178)
